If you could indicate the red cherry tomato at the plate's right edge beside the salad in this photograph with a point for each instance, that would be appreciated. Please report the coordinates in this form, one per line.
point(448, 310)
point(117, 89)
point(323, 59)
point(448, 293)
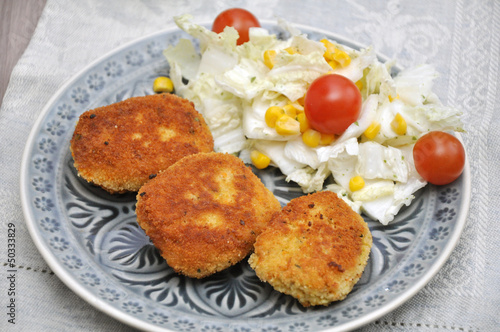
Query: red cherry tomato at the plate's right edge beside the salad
point(439, 157)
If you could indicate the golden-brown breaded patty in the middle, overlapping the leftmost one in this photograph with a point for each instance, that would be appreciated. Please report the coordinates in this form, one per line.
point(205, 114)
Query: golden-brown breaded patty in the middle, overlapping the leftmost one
point(204, 212)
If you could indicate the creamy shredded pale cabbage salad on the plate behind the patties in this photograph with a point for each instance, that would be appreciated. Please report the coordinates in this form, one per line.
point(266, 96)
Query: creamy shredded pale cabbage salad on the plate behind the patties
point(232, 87)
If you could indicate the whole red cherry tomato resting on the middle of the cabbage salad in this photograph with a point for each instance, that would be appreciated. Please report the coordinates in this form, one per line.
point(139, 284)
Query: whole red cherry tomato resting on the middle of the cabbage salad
point(333, 103)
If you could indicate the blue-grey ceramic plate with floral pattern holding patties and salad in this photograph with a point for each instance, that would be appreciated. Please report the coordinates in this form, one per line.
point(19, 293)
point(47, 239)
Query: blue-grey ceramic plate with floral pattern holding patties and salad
point(91, 240)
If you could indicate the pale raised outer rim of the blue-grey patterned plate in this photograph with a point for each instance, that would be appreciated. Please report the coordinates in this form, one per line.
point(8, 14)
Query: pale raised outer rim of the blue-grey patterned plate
point(130, 320)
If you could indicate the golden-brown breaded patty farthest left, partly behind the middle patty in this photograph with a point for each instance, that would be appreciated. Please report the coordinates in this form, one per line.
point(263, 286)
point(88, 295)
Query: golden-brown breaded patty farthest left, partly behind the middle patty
point(120, 146)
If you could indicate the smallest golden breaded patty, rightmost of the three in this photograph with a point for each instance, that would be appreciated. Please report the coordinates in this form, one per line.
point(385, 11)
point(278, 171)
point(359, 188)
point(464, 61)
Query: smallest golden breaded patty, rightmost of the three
point(314, 250)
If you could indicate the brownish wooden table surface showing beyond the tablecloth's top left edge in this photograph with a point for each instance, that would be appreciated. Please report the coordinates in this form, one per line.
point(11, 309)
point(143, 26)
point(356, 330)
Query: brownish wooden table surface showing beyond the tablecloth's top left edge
point(18, 20)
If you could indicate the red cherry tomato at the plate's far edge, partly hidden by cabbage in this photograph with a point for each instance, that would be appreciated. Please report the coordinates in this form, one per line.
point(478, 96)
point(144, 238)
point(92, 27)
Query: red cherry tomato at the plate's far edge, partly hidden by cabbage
point(238, 18)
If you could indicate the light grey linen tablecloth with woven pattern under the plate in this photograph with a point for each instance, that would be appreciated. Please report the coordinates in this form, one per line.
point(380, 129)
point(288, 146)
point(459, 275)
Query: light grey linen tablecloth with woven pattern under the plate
point(461, 38)
